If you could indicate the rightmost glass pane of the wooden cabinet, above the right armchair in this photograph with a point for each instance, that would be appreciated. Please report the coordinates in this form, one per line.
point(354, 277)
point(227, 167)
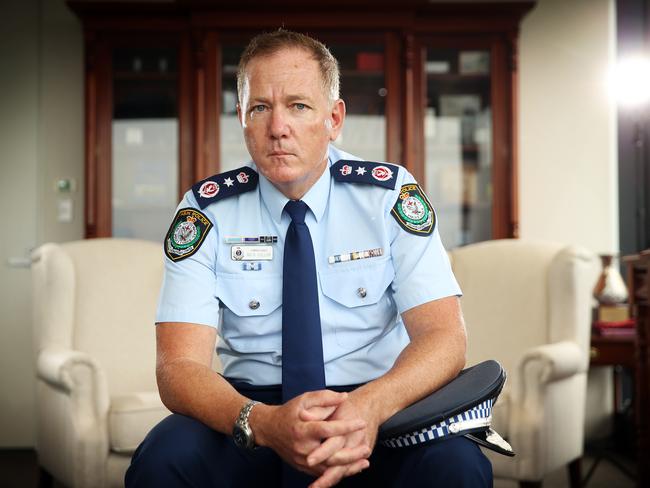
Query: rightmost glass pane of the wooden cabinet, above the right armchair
point(458, 142)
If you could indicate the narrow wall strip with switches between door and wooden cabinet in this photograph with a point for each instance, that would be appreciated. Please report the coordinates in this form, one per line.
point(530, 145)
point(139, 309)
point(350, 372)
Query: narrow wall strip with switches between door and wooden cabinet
point(61, 119)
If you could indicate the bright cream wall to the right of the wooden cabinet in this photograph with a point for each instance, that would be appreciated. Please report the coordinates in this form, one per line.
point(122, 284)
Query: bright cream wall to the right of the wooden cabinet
point(567, 125)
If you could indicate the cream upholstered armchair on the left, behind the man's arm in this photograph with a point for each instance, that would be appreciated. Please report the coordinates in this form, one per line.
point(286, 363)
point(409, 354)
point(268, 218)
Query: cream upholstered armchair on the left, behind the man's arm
point(94, 308)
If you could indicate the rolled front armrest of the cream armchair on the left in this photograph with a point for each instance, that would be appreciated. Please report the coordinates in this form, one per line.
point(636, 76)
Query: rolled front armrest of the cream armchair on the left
point(77, 374)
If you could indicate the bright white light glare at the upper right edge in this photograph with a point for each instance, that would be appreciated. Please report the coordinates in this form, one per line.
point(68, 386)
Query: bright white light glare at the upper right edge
point(629, 81)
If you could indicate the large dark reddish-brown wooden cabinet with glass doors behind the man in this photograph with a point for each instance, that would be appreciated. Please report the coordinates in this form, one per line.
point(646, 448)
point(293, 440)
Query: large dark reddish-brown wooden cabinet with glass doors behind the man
point(431, 86)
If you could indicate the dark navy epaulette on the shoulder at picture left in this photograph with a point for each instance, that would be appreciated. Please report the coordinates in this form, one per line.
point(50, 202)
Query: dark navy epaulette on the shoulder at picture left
point(224, 185)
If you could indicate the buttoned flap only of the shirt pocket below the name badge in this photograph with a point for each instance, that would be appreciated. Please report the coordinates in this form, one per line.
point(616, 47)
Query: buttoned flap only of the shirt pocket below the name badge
point(249, 296)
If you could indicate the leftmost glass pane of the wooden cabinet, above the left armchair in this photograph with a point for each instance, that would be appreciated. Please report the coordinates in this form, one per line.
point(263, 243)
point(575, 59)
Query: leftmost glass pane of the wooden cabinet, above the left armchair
point(144, 141)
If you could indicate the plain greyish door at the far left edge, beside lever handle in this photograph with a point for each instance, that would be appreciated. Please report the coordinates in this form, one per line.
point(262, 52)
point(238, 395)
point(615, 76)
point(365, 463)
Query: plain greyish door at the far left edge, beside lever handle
point(19, 201)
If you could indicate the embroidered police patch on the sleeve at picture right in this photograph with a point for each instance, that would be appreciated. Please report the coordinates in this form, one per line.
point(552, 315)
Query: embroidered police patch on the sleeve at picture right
point(413, 211)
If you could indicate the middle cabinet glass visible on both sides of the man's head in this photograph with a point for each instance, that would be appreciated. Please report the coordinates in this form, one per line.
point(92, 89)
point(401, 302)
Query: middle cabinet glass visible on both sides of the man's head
point(362, 89)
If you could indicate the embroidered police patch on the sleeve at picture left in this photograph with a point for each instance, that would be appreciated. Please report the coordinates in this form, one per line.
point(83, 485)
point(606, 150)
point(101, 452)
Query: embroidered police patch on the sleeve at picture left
point(186, 234)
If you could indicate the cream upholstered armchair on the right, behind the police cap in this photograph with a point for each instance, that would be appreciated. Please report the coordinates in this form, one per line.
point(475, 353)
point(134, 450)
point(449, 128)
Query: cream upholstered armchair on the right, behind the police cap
point(528, 305)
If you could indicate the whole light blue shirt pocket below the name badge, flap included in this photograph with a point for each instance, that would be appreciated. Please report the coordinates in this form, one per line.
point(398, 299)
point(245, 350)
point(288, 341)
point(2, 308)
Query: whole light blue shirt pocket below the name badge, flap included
point(252, 319)
